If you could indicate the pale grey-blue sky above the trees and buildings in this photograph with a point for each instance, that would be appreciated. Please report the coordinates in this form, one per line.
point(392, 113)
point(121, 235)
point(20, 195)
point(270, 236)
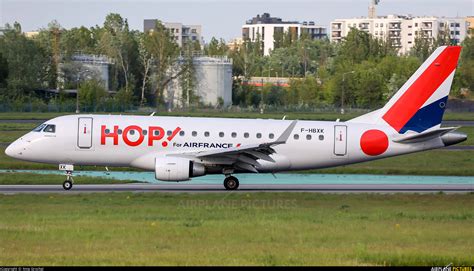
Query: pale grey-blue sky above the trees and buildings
point(221, 19)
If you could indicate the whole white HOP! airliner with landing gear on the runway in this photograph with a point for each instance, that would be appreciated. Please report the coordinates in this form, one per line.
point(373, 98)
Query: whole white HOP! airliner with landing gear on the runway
point(179, 148)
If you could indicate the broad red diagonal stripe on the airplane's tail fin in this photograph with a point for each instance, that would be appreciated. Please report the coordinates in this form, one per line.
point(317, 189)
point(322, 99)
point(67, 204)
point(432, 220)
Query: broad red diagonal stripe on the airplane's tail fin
point(423, 87)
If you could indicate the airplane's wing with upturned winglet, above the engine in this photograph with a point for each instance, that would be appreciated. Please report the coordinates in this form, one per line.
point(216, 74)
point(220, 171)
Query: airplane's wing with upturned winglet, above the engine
point(243, 157)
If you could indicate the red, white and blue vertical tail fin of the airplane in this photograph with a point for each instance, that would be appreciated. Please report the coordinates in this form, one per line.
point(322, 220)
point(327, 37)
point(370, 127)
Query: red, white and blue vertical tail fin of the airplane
point(420, 103)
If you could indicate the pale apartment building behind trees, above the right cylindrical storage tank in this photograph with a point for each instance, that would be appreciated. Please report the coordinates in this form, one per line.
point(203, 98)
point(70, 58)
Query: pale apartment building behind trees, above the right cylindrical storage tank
point(181, 33)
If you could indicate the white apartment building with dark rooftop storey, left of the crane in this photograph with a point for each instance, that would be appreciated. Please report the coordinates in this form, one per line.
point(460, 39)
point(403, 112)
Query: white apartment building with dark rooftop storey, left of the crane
point(264, 27)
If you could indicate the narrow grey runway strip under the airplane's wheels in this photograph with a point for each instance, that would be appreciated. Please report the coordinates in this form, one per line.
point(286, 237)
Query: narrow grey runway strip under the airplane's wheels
point(244, 188)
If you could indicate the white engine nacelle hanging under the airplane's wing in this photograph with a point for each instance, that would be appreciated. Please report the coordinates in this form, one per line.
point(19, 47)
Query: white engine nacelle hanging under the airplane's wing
point(172, 169)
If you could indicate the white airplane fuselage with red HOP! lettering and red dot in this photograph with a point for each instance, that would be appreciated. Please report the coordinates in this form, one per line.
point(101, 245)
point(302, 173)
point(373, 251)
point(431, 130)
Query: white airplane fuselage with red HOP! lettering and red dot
point(135, 141)
